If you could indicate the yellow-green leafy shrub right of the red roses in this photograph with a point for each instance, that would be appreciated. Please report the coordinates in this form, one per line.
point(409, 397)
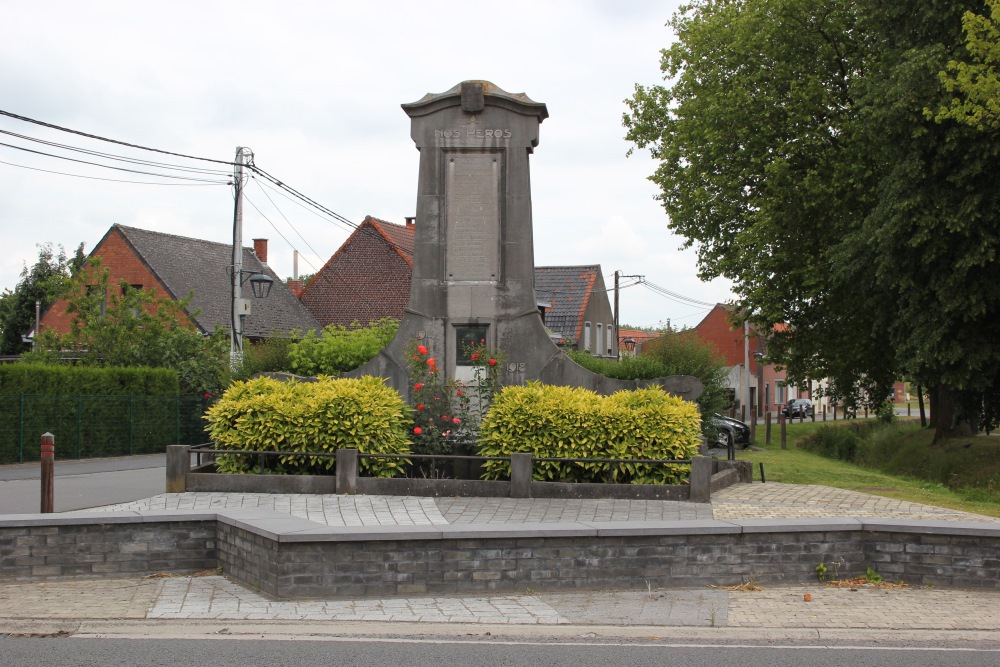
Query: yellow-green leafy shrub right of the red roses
point(565, 422)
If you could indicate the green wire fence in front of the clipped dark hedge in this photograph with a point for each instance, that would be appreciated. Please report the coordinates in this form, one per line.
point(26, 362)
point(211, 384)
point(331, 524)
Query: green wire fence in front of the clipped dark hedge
point(97, 426)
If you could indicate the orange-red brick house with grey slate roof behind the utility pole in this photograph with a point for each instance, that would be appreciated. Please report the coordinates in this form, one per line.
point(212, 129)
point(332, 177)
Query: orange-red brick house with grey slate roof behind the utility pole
point(174, 266)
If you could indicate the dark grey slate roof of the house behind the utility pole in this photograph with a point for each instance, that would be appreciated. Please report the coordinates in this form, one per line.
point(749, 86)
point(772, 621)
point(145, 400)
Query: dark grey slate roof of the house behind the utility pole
point(184, 265)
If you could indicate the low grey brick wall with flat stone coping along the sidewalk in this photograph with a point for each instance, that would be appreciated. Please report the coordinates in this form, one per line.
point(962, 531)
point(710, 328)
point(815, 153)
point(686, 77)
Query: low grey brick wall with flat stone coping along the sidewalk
point(287, 557)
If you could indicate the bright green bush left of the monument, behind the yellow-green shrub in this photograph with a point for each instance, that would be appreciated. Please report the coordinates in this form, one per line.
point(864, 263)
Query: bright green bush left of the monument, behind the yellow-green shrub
point(339, 349)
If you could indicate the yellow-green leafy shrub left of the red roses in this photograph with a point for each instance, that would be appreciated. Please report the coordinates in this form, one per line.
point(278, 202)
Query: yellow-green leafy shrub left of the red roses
point(264, 414)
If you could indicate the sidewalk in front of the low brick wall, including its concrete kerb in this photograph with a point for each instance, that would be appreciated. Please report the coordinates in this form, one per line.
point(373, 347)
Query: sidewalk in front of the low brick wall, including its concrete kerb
point(148, 605)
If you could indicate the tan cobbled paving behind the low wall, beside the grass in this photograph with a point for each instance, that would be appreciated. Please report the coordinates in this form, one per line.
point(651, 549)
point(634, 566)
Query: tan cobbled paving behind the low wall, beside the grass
point(775, 500)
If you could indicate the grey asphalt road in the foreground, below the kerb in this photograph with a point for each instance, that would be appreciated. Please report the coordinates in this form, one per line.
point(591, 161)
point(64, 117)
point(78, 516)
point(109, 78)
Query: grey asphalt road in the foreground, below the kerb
point(387, 652)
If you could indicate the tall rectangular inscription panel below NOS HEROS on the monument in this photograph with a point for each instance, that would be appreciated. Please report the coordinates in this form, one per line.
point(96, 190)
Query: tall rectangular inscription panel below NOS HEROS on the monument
point(472, 200)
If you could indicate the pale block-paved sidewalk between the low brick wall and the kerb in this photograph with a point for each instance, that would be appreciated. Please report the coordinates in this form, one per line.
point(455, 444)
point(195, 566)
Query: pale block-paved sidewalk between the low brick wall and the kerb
point(216, 598)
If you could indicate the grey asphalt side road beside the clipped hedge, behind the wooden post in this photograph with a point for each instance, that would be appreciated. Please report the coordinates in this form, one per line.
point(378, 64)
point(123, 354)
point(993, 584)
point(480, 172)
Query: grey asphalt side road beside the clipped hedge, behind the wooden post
point(82, 484)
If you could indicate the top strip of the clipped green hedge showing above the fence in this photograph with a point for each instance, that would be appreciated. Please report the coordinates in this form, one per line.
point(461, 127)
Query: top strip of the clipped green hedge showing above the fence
point(39, 379)
